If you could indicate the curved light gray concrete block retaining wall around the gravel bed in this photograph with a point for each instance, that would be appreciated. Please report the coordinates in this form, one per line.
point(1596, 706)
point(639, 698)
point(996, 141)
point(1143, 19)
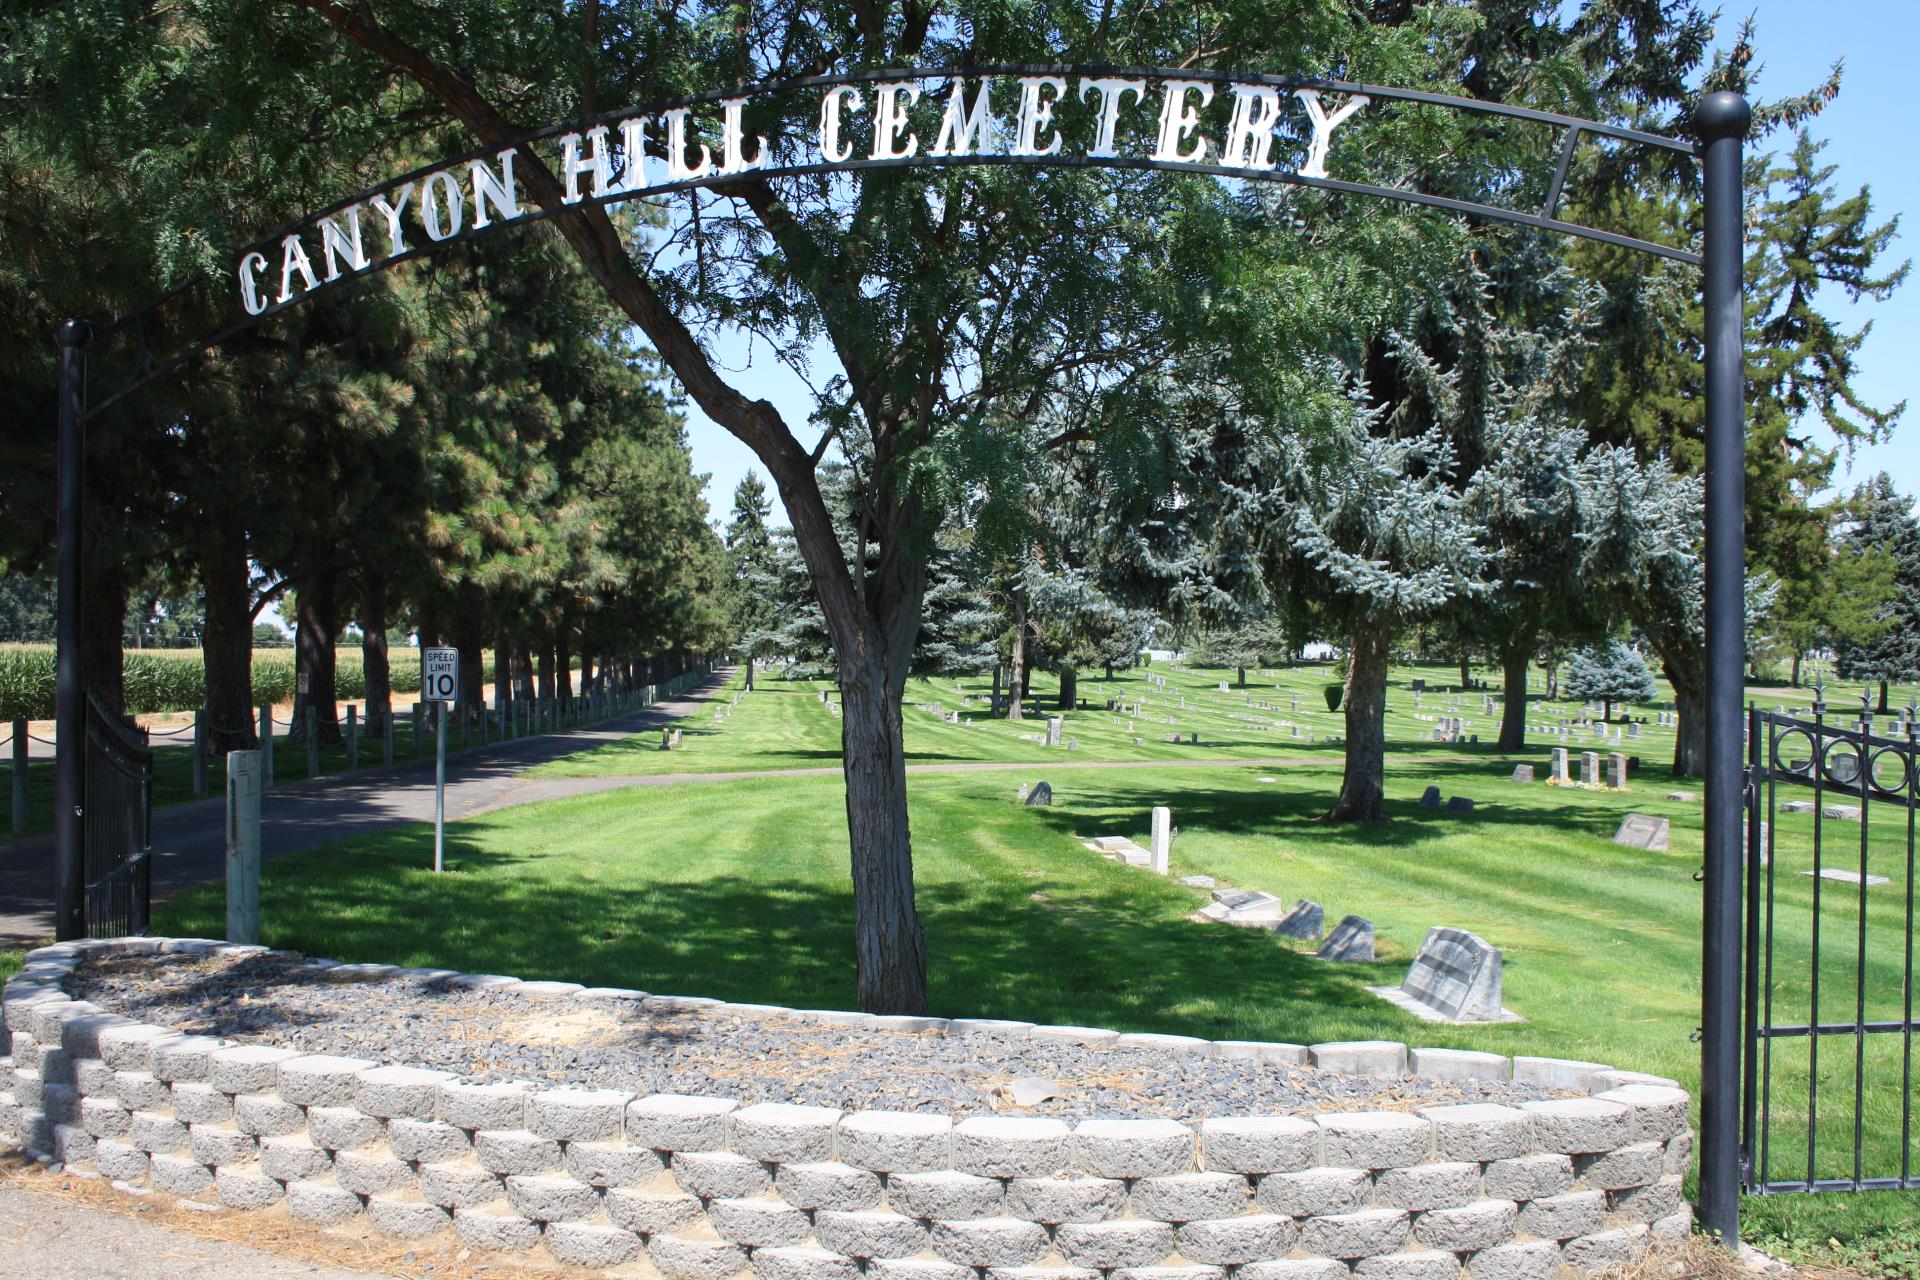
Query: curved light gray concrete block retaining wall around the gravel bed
point(706, 1189)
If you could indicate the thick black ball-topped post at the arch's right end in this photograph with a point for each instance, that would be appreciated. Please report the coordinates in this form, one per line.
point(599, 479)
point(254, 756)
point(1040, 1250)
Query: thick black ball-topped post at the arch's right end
point(1721, 126)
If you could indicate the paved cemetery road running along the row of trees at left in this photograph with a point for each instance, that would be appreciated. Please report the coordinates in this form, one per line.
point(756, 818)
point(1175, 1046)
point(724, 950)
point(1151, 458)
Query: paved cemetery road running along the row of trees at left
point(191, 840)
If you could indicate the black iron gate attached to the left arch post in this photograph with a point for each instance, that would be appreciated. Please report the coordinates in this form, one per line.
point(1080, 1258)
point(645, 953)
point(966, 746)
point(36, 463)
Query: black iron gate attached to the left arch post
point(118, 826)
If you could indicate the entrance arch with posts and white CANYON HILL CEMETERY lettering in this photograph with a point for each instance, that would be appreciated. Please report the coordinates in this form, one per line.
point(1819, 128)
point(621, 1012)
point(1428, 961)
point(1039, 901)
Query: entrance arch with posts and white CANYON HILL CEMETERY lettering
point(1280, 130)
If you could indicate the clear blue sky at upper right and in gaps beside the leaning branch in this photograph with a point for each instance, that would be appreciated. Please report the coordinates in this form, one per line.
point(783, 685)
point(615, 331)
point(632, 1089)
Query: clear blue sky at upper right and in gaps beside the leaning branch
point(1871, 139)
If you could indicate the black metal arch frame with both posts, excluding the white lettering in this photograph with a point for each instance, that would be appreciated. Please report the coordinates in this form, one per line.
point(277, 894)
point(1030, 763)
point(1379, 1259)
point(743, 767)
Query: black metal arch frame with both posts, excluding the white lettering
point(1719, 124)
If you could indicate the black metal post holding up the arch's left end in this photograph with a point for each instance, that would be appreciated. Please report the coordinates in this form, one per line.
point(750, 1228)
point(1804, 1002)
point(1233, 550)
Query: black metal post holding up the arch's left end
point(70, 698)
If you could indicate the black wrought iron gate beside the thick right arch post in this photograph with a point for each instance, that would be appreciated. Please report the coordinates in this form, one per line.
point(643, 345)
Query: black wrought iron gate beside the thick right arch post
point(1829, 1097)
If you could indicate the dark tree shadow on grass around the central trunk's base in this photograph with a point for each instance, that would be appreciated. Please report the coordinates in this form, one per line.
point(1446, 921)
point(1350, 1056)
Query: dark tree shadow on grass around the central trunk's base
point(1115, 955)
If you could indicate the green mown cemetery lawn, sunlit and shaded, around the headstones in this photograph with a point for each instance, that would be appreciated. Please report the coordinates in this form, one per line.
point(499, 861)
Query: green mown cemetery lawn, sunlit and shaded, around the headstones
point(740, 889)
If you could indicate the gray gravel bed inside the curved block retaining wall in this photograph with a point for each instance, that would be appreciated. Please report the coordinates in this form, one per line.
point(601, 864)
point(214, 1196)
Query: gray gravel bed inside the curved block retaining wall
point(504, 1035)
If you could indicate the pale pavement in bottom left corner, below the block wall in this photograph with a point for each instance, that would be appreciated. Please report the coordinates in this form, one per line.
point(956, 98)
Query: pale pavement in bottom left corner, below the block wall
point(57, 1239)
